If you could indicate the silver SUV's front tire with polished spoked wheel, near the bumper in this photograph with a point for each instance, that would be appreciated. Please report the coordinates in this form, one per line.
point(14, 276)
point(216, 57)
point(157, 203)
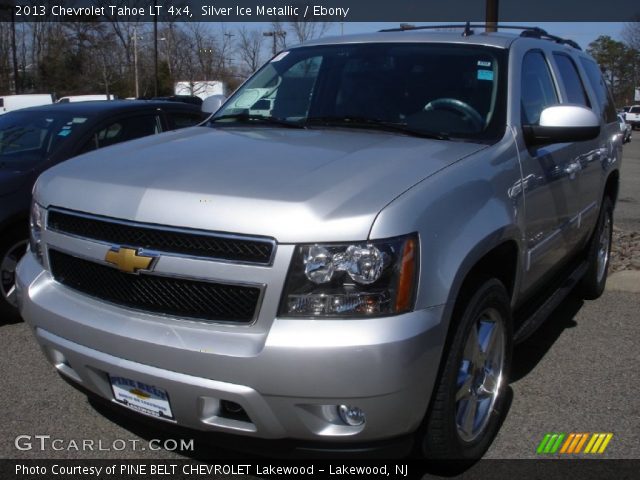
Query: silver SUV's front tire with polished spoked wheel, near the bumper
point(470, 396)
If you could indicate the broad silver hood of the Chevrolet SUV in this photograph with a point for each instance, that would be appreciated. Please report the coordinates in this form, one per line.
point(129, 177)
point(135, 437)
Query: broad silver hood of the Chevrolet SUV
point(294, 185)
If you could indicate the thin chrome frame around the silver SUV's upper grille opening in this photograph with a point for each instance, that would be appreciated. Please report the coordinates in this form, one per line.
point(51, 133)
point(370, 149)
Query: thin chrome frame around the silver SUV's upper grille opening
point(153, 226)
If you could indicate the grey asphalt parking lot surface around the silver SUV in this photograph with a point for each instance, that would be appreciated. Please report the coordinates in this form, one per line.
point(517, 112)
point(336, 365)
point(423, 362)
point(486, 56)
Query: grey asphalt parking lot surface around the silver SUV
point(578, 373)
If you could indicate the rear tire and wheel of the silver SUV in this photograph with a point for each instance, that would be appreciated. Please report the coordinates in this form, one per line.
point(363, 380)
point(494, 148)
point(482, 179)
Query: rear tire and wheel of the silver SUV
point(599, 254)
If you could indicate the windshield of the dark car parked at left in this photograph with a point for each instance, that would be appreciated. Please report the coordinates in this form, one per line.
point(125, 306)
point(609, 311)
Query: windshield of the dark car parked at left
point(31, 136)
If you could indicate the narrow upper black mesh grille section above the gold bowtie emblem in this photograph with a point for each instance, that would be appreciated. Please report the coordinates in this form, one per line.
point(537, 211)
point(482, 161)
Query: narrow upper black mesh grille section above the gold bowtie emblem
point(163, 239)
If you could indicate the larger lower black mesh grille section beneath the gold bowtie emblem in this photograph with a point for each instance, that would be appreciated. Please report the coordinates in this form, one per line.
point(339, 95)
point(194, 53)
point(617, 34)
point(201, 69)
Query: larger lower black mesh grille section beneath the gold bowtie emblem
point(153, 293)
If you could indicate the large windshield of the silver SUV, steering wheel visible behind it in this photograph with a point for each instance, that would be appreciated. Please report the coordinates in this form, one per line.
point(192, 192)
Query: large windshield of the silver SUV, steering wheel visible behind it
point(453, 91)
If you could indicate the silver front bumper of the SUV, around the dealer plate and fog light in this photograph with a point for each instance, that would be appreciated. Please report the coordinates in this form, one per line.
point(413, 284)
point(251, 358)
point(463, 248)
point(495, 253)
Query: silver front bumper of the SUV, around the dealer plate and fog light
point(288, 378)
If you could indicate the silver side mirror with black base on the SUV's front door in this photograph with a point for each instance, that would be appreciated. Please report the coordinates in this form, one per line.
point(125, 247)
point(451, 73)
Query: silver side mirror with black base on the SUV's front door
point(563, 123)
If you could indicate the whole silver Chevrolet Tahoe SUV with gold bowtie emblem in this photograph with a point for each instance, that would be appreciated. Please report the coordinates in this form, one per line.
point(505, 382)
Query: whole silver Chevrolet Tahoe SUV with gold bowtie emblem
point(345, 252)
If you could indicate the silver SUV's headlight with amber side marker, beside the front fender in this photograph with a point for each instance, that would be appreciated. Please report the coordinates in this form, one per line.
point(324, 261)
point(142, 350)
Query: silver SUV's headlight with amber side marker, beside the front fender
point(354, 279)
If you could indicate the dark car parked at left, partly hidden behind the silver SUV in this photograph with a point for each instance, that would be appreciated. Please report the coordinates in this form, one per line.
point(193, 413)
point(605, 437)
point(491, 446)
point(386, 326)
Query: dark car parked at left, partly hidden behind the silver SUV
point(34, 139)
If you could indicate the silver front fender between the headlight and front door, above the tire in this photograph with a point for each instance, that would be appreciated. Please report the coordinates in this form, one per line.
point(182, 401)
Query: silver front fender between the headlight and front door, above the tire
point(460, 214)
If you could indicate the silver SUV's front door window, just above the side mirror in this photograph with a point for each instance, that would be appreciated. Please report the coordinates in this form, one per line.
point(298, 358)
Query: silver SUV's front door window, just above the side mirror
point(538, 90)
